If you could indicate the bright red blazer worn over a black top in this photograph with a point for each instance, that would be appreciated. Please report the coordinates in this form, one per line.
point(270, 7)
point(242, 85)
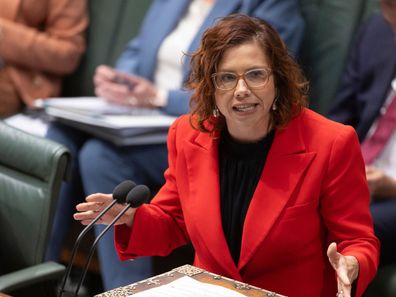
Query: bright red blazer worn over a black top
point(312, 191)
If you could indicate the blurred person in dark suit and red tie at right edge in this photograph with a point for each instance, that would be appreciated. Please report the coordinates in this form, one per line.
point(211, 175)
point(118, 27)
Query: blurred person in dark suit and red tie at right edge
point(366, 100)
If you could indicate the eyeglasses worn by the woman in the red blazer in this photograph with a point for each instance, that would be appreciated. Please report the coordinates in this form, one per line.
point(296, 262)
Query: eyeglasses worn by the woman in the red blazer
point(255, 78)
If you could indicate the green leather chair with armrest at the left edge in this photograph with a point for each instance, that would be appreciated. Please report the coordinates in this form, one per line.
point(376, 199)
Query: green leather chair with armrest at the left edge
point(31, 171)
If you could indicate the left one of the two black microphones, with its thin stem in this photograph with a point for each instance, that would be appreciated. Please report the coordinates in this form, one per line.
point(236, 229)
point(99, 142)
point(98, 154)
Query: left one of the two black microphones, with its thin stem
point(120, 193)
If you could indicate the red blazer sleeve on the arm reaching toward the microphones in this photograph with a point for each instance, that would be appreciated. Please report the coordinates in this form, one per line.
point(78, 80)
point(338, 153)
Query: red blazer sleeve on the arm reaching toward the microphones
point(158, 227)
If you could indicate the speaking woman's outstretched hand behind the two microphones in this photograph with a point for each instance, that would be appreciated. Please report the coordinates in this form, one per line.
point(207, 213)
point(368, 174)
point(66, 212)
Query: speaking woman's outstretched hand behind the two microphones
point(95, 203)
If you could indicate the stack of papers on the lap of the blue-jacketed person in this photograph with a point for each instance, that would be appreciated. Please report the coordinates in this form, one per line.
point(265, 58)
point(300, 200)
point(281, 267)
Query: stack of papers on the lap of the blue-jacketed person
point(122, 125)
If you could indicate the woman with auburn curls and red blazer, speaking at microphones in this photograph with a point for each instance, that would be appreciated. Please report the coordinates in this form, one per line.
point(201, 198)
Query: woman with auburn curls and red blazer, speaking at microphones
point(268, 192)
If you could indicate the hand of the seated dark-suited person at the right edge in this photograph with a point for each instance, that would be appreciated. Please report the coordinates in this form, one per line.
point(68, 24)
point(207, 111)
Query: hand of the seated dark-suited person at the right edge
point(380, 184)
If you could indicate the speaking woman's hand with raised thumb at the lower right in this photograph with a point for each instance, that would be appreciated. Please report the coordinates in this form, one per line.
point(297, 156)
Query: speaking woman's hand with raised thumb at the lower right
point(346, 267)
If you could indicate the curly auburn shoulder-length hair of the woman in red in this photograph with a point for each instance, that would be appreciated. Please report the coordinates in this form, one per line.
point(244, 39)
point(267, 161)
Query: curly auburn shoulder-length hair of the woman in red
point(234, 30)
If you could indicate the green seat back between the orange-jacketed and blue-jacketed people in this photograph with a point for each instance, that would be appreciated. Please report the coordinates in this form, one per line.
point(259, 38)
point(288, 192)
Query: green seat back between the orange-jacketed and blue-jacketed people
point(112, 24)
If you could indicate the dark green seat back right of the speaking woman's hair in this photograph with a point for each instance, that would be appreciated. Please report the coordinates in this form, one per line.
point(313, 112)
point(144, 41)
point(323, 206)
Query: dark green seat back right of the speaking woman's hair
point(330, 29)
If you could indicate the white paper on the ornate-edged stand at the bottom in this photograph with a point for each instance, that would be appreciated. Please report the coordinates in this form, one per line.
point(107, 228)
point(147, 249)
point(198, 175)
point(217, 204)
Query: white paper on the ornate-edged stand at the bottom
point(188, 287)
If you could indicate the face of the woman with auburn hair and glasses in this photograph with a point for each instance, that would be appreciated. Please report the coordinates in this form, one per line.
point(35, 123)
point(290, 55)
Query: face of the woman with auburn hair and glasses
point(246, 110)
